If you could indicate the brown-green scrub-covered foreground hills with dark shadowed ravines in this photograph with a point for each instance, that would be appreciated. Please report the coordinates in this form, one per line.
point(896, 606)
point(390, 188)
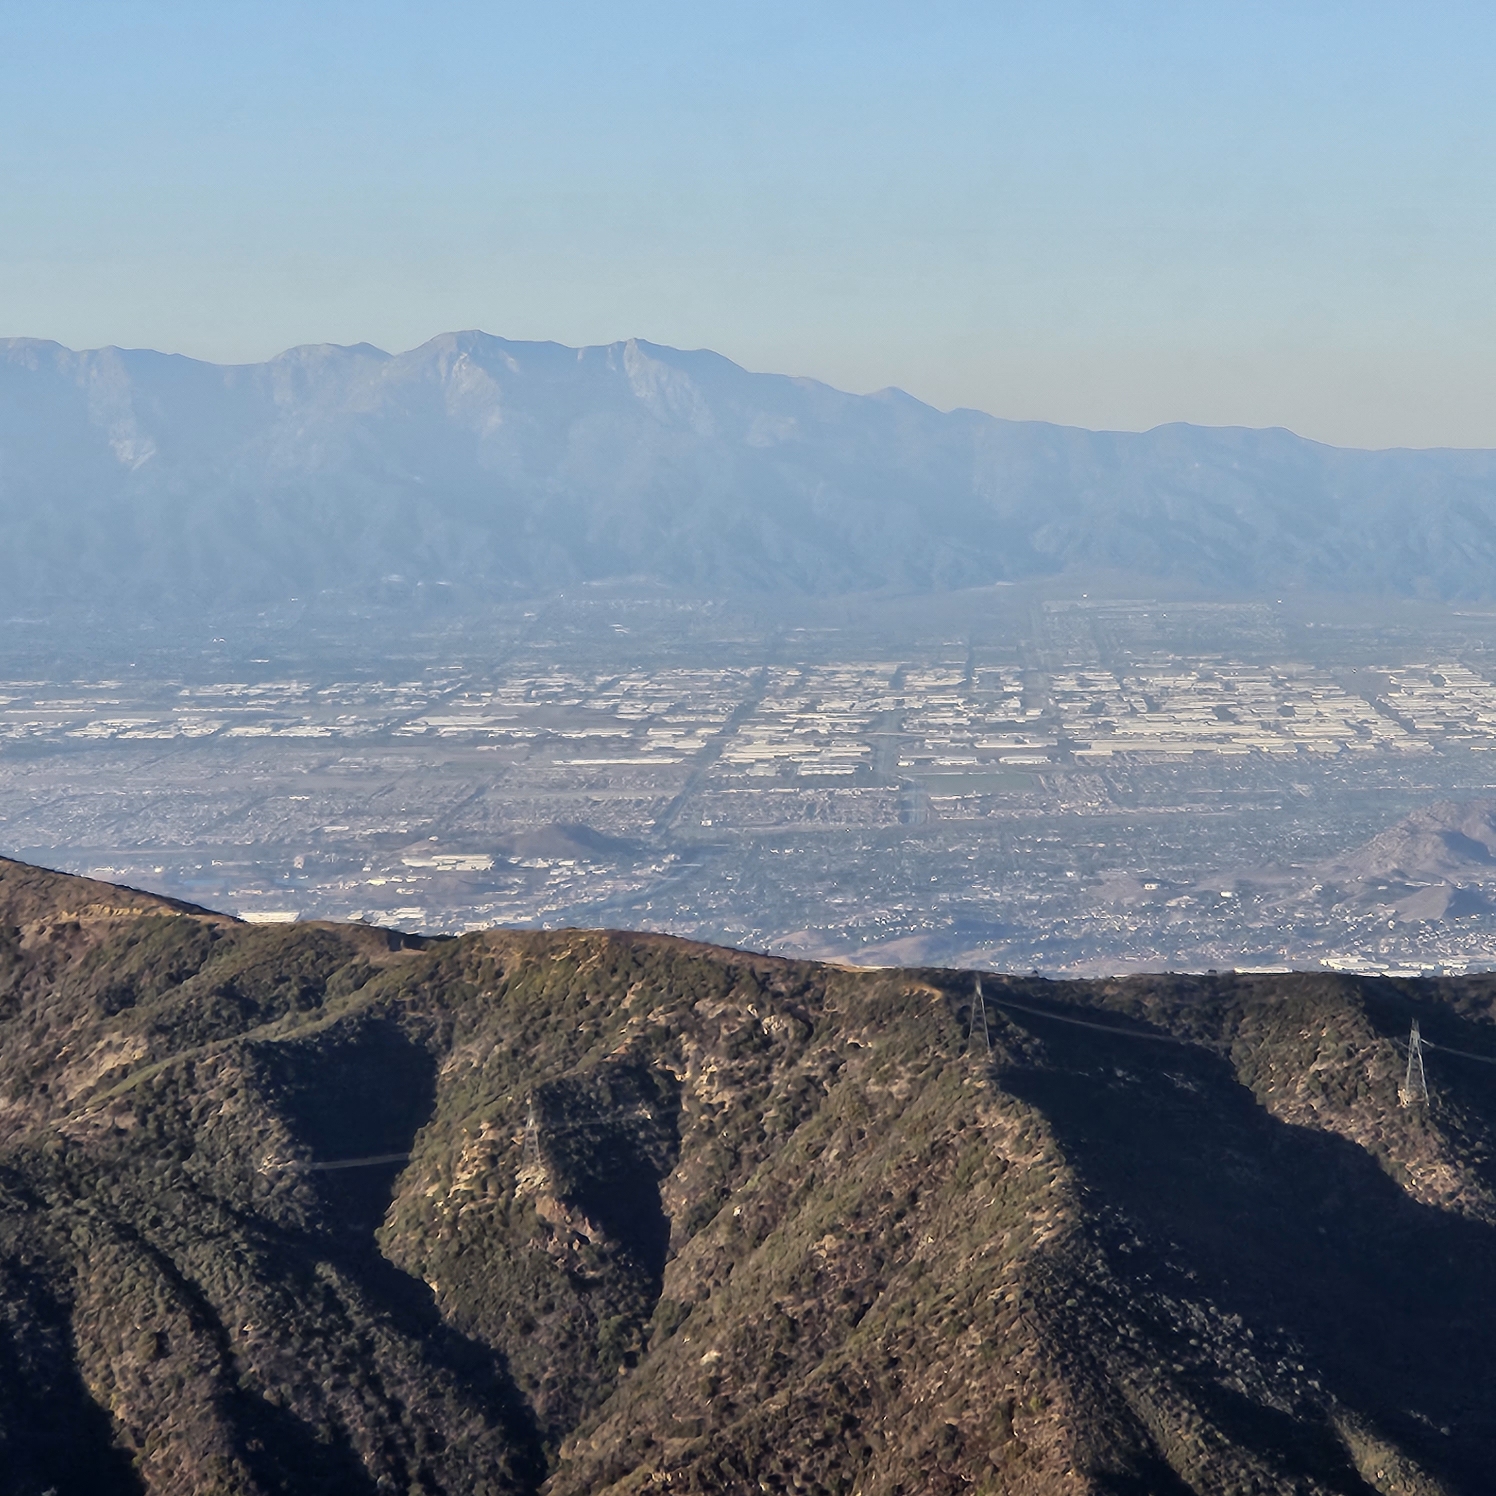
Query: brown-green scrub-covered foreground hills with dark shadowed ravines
point(330, 1210)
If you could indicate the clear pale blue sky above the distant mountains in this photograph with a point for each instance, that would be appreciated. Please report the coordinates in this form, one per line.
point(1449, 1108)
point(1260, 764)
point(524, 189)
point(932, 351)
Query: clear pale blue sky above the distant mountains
point(1105, 215)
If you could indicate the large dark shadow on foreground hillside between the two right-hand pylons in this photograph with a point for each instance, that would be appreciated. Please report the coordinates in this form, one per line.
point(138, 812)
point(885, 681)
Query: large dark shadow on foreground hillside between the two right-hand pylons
point(1394, 1302)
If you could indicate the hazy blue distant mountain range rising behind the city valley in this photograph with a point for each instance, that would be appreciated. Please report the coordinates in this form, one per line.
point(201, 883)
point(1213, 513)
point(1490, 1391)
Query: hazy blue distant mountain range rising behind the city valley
point(502, 469)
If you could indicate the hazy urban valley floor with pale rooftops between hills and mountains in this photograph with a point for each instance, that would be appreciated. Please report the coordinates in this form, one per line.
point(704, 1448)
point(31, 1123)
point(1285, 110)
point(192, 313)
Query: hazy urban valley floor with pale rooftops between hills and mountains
point(1000, 779)
